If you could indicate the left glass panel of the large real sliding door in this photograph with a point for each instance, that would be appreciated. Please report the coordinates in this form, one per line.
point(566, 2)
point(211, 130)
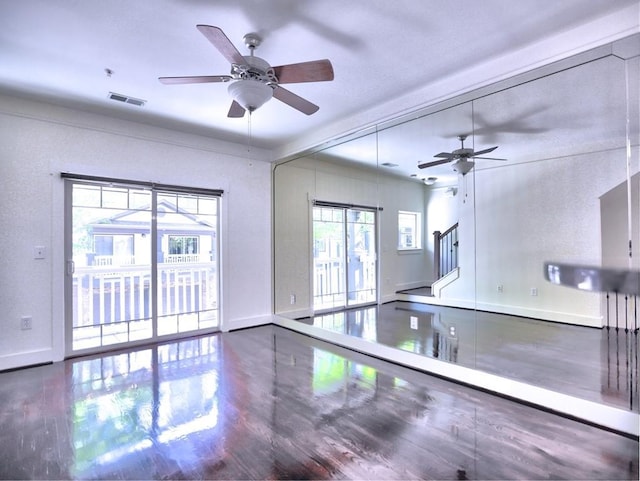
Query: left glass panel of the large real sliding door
point(111, 265)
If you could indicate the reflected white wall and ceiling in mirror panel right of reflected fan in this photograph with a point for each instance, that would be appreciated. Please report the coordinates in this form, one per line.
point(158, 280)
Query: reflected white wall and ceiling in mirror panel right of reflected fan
point(544, 203)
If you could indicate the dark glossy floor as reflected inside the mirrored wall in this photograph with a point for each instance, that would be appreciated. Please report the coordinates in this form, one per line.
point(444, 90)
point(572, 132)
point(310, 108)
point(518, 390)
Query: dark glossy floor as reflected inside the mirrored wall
point(595, 364)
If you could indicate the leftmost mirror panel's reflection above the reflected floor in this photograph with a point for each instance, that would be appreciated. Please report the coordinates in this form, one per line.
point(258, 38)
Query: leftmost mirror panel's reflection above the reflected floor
point(335, 192)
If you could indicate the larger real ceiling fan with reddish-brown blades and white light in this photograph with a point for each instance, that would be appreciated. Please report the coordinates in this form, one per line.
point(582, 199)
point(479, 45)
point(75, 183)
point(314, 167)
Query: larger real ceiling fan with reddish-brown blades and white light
point(254, 81)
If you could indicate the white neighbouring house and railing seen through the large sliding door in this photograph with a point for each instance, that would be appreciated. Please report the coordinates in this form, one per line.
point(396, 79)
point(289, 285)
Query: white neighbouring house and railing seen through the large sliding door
point(112, 280)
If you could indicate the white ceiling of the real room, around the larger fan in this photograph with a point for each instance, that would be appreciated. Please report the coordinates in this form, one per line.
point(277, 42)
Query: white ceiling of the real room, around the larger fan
point(389, 57)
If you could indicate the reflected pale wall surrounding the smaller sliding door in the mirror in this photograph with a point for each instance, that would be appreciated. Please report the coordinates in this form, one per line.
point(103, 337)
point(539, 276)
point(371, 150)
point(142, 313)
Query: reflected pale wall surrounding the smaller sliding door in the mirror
point(297, 184)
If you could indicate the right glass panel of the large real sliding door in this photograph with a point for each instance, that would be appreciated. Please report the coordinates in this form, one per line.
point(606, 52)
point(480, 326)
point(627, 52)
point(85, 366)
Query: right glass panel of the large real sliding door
point(187, 280)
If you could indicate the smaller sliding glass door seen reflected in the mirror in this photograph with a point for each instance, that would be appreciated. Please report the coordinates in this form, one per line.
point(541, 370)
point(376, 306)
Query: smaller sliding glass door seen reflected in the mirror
point(344, 257)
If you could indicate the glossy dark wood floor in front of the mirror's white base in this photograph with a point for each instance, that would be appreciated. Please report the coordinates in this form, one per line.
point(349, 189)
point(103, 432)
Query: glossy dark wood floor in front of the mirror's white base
point(268, 403)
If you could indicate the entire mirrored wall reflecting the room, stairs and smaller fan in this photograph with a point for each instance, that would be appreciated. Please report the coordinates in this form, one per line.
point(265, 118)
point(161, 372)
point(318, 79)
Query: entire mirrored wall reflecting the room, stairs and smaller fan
point(458, 260)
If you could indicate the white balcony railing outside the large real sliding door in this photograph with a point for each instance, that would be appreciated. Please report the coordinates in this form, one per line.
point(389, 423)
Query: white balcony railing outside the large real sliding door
point(113, 304)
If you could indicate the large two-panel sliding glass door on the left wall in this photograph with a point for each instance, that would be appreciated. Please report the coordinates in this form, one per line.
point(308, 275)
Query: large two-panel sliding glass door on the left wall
point(142, 264)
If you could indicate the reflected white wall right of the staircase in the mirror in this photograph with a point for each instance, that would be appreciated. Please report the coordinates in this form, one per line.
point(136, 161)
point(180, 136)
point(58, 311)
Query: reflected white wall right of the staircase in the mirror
point(523, 215)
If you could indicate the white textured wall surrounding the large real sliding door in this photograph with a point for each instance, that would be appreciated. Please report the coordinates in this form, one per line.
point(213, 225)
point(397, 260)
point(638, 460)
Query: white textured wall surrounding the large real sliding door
point(39, 141)
